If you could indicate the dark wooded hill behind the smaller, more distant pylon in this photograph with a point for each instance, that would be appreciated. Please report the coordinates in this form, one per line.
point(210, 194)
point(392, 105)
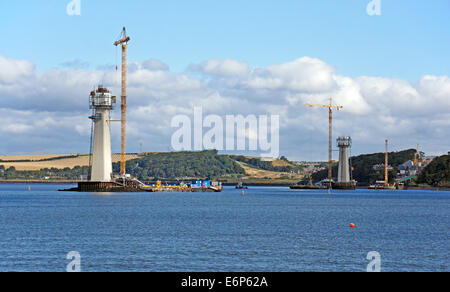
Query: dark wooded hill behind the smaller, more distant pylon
point(364, 173)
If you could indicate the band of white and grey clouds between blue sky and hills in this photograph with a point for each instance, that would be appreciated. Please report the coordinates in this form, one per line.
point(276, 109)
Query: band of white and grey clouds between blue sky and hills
point(48, 111)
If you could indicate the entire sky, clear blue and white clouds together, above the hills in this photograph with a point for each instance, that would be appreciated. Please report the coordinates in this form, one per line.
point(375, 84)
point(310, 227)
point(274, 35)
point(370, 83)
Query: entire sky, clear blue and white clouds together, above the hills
point(390, 72)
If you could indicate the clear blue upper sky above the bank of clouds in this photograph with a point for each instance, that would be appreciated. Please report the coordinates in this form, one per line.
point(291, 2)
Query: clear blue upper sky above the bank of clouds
point(411, 37)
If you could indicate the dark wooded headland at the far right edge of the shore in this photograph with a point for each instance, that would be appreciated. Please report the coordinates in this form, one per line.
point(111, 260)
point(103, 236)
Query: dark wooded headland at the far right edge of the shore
point(437, 173)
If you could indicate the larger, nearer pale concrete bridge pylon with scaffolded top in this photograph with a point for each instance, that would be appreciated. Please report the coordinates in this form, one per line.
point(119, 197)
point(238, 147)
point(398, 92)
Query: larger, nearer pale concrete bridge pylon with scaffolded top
point(102, 102)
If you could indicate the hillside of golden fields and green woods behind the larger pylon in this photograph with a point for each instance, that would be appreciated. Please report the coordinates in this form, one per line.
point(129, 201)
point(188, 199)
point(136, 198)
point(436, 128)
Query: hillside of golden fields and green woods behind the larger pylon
point(149, 166)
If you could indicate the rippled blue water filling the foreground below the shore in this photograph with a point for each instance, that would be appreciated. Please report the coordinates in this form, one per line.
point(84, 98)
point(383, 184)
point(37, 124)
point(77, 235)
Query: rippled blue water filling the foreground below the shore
point(267, 230)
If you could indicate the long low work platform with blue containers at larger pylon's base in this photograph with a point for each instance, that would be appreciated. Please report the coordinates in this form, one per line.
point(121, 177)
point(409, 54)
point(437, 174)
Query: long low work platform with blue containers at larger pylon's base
point(135, 186)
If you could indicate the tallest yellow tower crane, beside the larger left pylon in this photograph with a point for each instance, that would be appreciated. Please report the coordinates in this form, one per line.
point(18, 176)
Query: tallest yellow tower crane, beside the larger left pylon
point(123, 146)
